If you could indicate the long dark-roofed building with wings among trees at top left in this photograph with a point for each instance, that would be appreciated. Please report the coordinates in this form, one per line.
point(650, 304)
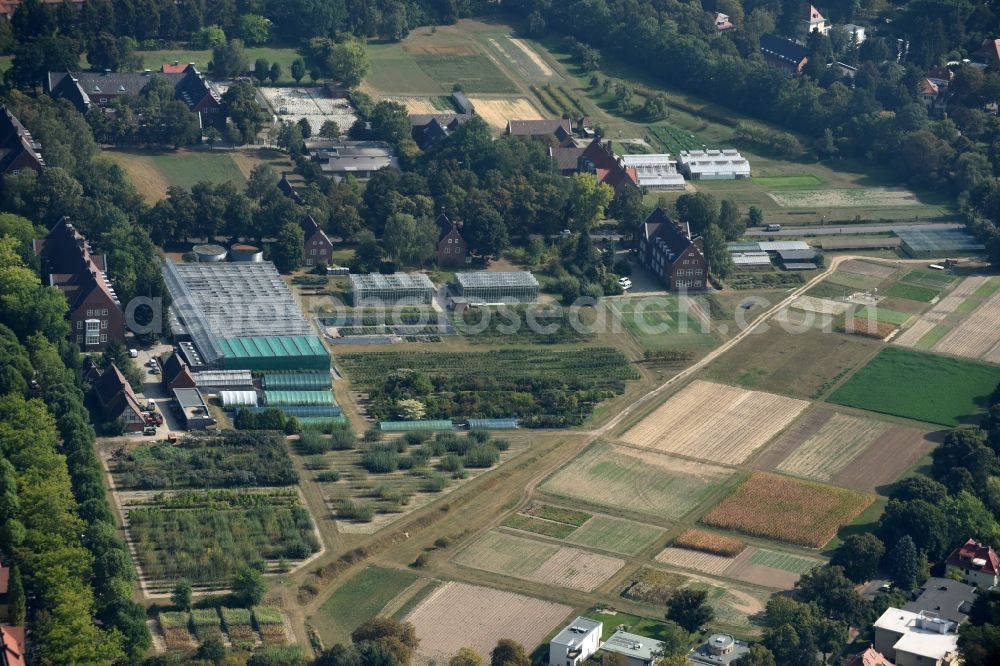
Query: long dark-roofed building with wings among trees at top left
point(86, 90)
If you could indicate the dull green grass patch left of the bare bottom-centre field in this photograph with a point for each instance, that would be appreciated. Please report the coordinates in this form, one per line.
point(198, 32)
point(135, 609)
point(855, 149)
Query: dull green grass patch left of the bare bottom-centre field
point(357, 600)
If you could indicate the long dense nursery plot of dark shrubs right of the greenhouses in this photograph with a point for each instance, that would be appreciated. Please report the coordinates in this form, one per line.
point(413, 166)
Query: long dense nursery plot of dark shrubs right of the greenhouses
point(542, 388)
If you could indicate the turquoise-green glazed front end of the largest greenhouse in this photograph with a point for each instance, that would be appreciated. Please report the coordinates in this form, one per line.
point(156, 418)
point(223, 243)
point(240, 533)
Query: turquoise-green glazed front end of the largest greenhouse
point(297, 352)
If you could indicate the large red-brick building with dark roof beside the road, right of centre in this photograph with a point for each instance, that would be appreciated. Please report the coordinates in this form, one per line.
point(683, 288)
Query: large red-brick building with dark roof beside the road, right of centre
point(667, 249)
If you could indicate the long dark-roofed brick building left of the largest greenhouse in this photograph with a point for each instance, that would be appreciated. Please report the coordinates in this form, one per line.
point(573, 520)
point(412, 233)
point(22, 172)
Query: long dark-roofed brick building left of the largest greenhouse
point(95, 314)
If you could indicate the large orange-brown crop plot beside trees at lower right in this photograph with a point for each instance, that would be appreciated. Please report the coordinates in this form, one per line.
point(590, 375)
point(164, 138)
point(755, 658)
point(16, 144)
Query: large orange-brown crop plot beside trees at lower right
point(790, 510)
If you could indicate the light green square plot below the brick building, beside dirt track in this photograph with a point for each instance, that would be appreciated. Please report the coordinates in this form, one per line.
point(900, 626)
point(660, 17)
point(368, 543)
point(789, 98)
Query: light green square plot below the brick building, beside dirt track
point(662, 322)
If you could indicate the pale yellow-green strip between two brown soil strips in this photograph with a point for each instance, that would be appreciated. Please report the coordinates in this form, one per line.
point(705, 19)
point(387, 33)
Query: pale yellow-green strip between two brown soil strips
point(839, 441)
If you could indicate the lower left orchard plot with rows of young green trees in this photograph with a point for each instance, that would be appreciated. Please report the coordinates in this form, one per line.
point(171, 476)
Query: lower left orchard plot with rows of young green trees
point(207, 537)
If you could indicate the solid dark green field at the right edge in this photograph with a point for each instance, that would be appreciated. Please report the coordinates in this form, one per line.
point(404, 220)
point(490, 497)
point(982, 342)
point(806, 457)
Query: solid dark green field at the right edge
point(924, 387)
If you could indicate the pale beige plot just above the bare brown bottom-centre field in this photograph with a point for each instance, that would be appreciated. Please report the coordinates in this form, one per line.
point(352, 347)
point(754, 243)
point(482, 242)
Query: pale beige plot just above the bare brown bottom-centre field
point(538, 562)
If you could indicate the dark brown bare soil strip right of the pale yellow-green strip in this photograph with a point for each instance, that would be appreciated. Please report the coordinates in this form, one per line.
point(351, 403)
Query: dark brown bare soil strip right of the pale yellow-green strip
point(885, 460)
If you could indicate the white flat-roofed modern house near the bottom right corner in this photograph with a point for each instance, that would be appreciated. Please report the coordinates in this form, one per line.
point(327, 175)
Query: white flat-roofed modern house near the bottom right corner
point(916, 639)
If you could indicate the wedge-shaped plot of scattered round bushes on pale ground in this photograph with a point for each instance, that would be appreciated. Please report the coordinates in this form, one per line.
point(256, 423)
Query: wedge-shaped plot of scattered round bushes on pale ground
point(365, 502)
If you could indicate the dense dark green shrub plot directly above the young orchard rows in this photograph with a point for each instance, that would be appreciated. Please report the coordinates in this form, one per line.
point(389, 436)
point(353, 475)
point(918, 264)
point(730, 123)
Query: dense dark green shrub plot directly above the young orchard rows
point(226, 460)
